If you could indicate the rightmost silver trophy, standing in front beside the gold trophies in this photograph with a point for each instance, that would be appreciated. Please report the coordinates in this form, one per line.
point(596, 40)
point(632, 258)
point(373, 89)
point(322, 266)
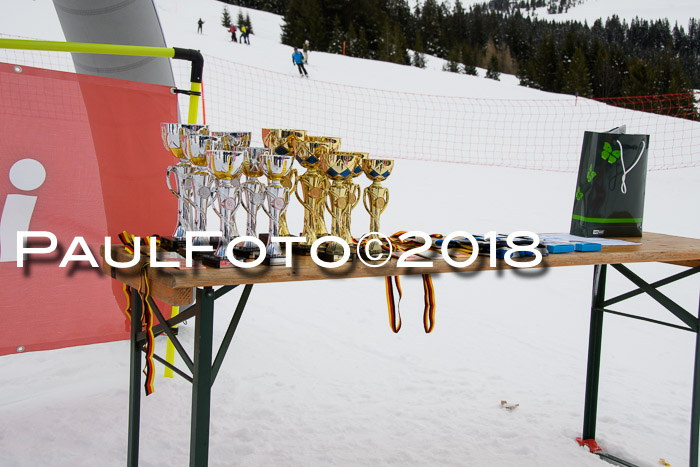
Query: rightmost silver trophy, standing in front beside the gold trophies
point(276, 167)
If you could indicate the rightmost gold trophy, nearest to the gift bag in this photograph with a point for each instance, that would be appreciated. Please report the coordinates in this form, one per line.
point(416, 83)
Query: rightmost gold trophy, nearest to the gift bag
point(375, 198)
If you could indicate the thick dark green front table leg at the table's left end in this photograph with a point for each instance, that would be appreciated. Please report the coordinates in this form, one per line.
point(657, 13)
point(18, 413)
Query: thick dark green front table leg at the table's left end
point(202, 381)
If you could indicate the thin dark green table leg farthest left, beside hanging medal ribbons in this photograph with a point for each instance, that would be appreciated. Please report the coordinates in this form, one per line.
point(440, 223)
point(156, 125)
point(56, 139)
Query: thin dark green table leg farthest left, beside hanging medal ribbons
point(134, 381)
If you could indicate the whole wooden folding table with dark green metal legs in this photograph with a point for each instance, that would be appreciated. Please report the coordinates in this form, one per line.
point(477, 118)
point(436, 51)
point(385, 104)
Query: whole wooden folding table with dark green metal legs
point(195, 288)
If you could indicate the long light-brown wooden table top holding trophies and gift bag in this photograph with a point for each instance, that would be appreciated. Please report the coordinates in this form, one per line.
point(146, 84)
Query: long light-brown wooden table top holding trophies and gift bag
point(174, 286)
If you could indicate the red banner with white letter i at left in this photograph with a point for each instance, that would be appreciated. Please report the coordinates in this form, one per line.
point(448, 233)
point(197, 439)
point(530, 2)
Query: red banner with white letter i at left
point(80, 156)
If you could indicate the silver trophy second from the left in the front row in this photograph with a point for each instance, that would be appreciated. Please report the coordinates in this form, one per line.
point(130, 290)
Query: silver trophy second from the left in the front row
point(195, 147)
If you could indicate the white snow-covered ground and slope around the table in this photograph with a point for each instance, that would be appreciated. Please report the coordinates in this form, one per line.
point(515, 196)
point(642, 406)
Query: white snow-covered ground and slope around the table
point(315, 376)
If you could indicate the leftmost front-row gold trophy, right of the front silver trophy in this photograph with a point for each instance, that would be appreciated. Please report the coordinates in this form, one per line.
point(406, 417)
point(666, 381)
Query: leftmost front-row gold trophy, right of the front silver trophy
point(314, 186)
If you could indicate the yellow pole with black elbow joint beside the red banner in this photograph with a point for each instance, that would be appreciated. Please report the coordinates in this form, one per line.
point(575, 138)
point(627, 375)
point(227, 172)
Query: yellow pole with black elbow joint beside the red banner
point(194, 56)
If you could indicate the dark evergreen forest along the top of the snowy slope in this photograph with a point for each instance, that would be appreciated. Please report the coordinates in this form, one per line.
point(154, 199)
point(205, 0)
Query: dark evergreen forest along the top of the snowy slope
point(609, 58)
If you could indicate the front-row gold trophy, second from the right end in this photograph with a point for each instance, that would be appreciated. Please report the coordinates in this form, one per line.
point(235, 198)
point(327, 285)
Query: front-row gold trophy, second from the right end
point(338, 166)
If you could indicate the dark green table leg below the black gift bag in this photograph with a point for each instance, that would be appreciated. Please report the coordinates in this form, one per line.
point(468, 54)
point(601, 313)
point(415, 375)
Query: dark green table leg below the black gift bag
point(594, 347)
